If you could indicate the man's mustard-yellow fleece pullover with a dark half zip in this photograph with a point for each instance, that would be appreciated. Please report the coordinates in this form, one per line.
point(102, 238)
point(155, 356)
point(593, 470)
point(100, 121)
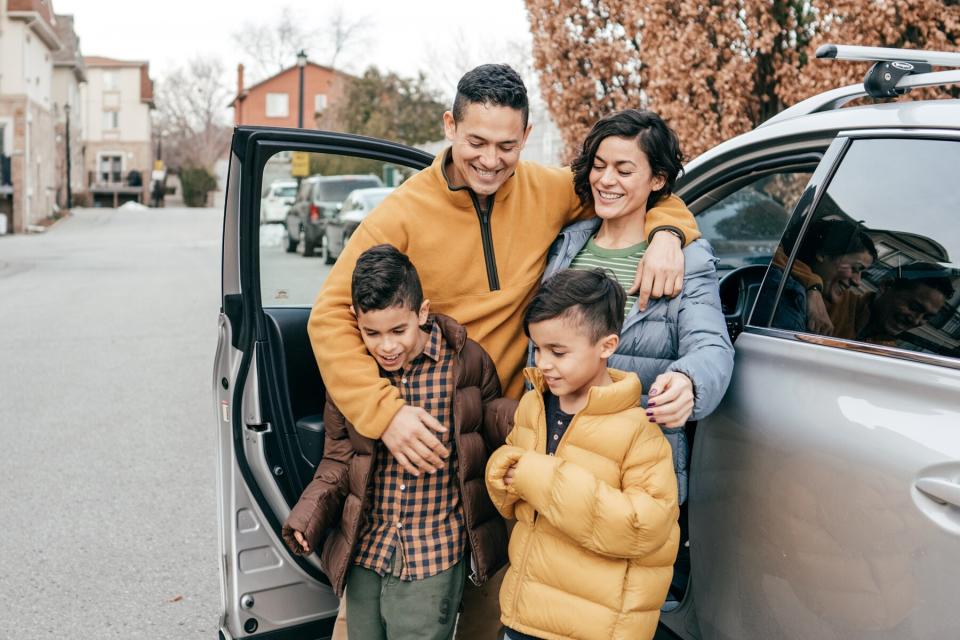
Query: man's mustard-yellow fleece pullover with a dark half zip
point(479, 267)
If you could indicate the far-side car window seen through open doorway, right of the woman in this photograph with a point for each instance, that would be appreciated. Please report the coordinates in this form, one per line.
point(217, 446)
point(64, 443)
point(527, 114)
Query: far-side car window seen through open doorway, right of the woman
point(745, 226)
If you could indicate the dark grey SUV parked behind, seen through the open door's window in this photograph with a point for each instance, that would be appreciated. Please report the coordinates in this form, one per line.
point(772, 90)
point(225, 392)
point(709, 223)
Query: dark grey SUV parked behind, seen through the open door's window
point(318, 200)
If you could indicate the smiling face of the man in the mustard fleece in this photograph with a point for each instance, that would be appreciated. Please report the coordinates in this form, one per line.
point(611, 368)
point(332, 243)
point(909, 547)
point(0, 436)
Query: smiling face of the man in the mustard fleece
point(486, 145)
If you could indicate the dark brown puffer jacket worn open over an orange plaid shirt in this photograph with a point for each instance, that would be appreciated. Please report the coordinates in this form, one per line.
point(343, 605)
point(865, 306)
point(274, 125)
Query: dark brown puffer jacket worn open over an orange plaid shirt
point(338, 495)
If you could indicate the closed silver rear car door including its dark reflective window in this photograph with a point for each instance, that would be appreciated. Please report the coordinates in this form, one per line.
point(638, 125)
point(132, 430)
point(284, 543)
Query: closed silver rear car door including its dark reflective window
point(822, 490)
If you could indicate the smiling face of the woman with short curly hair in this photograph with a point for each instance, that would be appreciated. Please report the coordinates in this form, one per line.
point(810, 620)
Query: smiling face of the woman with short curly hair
point(621, 178)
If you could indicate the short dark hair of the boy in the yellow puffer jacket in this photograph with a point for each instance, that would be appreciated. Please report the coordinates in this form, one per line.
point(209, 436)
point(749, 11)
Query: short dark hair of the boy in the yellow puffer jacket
point(592, 295)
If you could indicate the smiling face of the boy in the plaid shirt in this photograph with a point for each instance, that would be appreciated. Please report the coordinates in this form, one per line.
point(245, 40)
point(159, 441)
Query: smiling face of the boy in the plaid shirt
point(393, 336)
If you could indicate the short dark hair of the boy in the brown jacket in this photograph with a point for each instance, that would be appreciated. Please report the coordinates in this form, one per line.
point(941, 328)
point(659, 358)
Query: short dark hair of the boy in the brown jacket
point(384, 278)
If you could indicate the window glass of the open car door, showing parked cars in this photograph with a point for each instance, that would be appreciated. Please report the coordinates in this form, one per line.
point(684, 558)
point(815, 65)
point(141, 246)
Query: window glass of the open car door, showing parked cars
point(297, 248)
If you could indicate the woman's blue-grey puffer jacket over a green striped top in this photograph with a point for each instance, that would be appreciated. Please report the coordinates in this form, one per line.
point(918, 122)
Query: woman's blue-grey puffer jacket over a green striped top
point(686, 334)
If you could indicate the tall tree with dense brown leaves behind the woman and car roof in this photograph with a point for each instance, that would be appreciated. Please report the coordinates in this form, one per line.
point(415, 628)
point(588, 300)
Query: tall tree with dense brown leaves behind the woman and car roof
point(712, 68)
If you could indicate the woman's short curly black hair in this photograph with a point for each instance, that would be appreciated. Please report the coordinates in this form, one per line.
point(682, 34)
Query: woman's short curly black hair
point(655, 138)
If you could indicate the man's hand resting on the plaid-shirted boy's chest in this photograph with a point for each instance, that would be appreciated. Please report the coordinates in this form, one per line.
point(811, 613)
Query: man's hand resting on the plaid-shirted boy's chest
point(410, 439)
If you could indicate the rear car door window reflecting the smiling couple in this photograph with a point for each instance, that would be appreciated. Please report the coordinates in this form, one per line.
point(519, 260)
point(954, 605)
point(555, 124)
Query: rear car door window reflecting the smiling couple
point(882, 250)
